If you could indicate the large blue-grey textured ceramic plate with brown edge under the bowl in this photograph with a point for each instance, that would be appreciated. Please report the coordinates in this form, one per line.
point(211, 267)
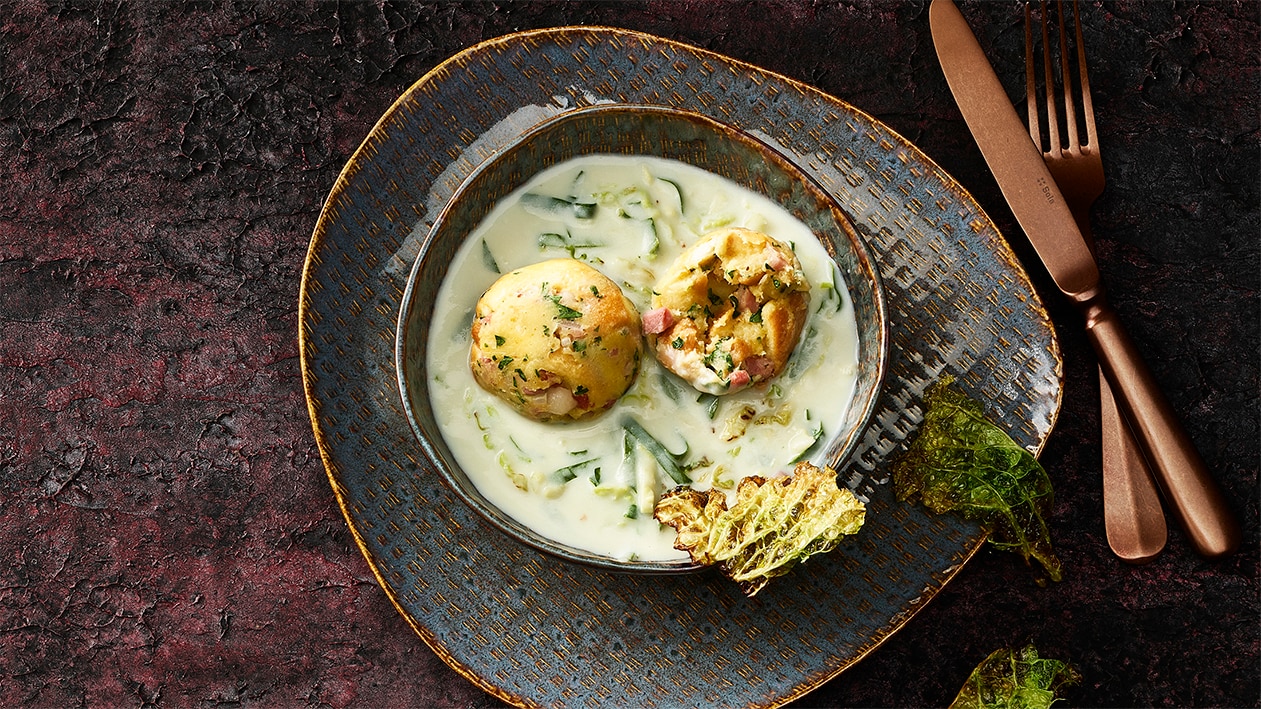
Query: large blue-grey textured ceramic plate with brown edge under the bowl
point(533, 630)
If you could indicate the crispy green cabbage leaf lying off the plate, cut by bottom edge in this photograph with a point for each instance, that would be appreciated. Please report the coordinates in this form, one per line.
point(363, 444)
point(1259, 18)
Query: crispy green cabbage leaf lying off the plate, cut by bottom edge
point(1016, 679)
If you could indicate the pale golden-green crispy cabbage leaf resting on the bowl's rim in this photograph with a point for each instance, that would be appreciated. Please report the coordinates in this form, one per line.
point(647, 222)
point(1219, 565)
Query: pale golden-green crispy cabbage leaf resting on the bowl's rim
point(772, 527)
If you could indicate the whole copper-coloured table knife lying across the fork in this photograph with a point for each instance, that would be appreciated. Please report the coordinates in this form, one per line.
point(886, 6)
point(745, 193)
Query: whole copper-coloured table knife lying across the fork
point(1041, 211)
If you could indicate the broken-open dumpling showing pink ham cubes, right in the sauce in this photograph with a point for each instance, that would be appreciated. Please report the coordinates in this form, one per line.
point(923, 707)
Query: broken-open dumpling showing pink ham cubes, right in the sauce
point(729, 312)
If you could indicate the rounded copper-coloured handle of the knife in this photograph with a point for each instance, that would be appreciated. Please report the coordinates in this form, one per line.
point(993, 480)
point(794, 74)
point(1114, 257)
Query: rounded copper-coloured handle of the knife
point(1175, 461)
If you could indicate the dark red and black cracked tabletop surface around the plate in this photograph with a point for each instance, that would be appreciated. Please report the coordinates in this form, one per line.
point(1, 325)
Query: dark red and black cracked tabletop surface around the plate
point(170, 534)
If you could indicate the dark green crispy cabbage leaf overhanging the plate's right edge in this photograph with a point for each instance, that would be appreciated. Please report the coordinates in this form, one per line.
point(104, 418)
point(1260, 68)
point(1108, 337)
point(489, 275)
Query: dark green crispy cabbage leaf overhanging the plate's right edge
point(960, 462)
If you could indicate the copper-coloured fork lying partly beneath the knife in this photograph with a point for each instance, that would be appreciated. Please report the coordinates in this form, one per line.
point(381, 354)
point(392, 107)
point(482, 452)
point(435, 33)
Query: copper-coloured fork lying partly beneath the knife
point(1133, 518)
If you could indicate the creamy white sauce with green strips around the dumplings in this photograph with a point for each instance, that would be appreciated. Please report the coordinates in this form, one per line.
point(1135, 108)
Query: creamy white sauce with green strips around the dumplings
point(586, 484)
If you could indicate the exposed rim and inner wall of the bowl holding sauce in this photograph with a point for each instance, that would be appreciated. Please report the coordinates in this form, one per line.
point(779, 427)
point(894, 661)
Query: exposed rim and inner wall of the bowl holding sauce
point(631, 131)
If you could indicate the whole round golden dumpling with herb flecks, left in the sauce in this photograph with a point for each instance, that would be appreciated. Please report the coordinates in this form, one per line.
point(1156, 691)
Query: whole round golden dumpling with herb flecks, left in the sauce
point(557, 340)
